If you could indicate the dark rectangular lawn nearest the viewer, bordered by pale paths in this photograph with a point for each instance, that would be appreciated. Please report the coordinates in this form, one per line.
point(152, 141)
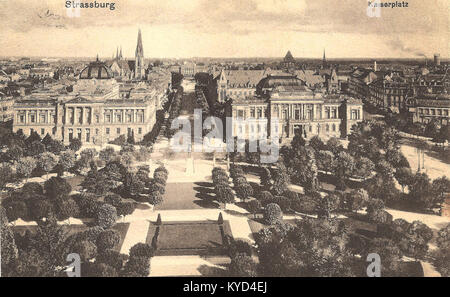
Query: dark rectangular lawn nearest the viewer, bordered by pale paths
point(190, 238)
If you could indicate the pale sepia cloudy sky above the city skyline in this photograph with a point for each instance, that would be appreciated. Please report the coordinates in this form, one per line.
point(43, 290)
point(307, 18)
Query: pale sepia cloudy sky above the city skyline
point(228, 28)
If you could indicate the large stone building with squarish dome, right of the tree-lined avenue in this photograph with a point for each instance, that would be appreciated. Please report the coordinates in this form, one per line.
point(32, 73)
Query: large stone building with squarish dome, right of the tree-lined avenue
point(284, 105)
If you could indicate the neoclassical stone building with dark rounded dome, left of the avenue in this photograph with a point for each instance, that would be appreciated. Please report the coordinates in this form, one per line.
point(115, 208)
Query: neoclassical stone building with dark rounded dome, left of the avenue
point(94, 111)
